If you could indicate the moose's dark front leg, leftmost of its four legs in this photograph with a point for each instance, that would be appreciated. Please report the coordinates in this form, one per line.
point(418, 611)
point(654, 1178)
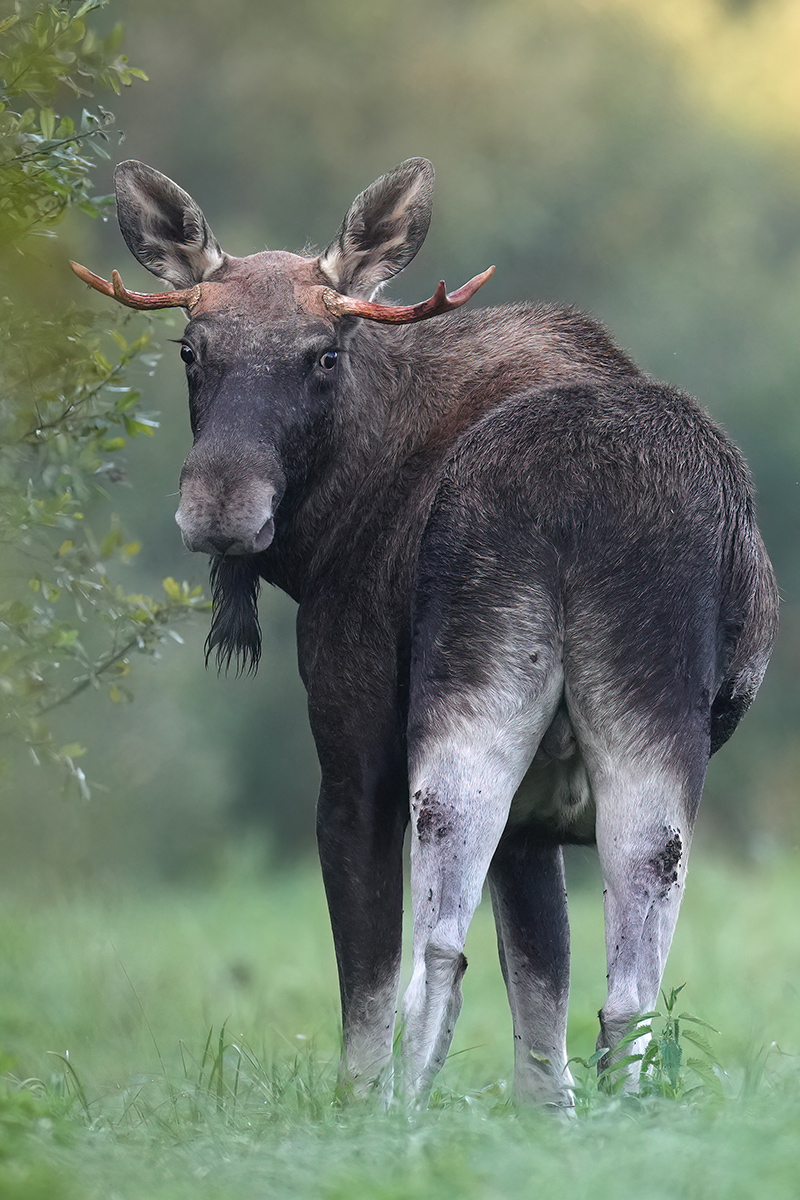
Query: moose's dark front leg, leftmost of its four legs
point(362, 855)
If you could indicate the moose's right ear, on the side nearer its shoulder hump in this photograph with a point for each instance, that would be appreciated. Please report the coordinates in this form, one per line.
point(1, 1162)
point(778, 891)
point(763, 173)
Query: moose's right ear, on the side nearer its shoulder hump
point(383, 230)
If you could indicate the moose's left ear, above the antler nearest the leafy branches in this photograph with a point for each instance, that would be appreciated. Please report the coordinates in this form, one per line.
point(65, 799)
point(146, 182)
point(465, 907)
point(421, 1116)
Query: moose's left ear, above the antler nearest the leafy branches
point(164, 227)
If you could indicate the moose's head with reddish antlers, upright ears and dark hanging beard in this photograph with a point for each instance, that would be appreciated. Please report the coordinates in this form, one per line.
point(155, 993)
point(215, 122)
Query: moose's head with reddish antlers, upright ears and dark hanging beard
point(266, 351)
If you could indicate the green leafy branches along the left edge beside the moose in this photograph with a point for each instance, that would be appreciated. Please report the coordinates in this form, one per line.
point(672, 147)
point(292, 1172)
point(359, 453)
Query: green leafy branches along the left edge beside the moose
point(68, 407)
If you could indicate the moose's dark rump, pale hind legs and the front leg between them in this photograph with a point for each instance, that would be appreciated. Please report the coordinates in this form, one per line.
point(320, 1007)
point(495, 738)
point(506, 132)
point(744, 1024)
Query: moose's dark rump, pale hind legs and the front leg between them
point(580, 589)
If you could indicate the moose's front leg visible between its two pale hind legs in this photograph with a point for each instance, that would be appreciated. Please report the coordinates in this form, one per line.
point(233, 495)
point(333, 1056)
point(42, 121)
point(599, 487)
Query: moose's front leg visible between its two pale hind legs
point(531, 914)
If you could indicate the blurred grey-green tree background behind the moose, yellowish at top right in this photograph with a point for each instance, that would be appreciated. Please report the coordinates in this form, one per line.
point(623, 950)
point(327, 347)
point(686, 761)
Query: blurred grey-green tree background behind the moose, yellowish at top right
point(639, 160)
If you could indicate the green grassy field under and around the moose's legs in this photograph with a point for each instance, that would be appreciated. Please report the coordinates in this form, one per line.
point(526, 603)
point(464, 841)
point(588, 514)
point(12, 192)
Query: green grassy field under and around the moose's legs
point(116, 1006)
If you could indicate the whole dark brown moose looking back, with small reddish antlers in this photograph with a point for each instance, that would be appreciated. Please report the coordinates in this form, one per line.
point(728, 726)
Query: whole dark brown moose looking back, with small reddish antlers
point(532, 603)
